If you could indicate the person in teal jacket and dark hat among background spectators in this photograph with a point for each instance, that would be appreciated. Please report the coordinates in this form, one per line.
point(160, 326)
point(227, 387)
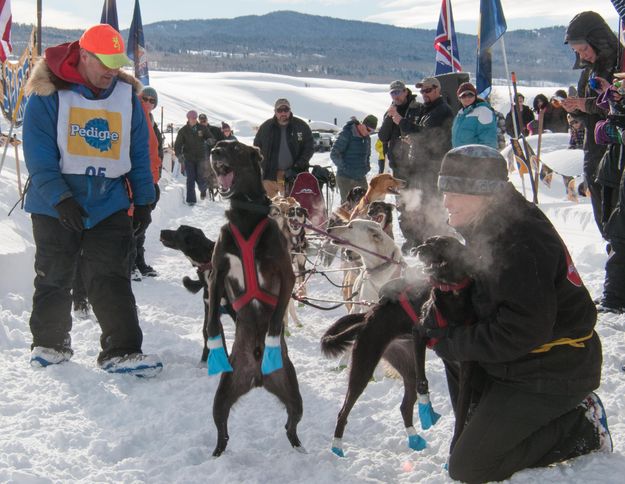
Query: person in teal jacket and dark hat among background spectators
point(476, 122)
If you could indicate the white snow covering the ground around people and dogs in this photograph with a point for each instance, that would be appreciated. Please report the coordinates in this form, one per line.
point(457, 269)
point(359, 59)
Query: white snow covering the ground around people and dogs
point(75, 423)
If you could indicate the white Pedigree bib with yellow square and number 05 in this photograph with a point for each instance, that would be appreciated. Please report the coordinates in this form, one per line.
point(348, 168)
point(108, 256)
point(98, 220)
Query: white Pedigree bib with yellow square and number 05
point(94, 135)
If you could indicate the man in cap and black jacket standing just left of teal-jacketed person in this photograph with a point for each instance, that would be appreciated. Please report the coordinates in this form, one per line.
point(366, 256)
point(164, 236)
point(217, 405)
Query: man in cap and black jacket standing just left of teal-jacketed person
point(427, 137)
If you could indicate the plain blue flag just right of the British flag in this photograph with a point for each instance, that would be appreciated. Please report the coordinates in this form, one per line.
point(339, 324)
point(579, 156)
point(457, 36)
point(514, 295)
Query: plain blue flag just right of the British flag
point(492, 26)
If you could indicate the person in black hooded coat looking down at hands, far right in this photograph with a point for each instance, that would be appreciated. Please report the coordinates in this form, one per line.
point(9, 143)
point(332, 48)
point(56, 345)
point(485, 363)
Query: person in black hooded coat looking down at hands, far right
point(595, 47)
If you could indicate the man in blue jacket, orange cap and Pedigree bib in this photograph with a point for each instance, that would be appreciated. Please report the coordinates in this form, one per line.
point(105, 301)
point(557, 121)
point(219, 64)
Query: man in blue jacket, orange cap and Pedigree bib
point(86, 146)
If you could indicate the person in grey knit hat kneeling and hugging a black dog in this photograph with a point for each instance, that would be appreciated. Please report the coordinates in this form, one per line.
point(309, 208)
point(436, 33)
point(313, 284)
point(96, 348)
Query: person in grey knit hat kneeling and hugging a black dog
point(537, 354)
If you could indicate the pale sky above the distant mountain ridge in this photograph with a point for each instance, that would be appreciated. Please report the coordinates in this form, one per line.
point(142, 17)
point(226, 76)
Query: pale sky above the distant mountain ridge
point(402, 13)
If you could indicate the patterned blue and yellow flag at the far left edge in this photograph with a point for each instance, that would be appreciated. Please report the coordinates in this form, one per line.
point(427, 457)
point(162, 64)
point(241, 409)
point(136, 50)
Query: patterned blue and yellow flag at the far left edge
point(14, 76)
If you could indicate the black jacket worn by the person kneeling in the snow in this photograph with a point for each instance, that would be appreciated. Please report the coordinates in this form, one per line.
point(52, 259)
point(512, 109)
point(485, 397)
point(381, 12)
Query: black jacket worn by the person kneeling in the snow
point(527, 293)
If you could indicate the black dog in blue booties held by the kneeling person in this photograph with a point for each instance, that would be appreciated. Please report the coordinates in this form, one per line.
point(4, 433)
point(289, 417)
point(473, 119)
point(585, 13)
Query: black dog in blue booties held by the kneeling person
point(398, 328)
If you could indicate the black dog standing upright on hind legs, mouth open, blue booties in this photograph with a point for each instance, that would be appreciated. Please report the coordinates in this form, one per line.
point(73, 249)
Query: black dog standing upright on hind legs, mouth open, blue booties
point(252, 268)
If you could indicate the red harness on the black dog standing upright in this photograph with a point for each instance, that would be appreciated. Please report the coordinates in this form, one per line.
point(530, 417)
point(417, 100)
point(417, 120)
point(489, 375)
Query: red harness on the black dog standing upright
point(252, 289)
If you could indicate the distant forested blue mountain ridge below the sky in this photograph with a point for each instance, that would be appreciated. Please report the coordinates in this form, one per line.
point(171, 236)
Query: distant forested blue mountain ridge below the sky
point(308, 45)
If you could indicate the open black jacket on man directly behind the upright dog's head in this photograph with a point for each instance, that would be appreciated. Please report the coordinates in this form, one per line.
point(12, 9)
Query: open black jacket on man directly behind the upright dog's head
point(299, 141)
